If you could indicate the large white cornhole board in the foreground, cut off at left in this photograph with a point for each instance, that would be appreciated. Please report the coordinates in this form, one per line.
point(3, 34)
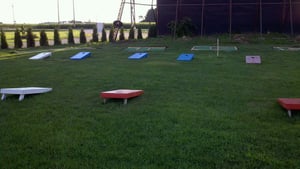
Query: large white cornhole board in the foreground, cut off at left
point(22, 91)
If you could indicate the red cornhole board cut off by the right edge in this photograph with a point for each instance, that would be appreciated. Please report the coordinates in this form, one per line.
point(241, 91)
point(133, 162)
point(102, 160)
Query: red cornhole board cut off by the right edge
point(290, 104)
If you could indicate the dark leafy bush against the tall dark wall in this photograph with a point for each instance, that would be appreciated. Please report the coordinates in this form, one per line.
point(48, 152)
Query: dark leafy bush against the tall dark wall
point(184, 27)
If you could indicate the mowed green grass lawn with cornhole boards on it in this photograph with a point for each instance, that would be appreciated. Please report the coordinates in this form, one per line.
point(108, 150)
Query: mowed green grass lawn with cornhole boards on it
point(212, 112)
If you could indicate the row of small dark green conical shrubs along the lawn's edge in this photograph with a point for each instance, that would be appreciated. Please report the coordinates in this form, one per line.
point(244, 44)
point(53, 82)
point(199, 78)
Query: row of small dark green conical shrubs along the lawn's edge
point(43, 39)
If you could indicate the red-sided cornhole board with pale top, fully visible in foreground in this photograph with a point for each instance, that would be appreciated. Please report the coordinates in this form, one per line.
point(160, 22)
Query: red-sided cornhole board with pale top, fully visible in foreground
point(120, 94)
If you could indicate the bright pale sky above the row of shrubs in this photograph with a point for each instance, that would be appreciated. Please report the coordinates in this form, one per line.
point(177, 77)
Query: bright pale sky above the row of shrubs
point(38, 11)
